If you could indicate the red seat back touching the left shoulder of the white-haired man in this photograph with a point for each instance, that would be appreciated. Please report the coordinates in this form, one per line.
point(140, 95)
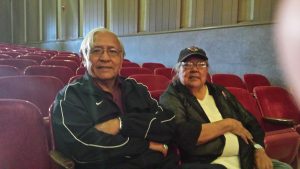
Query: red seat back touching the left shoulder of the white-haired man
point(62, 72)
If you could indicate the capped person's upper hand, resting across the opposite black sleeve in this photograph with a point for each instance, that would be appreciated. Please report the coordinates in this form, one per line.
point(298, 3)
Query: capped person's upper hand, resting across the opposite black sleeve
point(238, 129)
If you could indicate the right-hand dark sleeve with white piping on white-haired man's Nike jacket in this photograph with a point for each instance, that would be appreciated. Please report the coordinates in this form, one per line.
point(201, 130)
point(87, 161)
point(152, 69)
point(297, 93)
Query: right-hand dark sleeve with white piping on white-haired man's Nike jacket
point(147, 119)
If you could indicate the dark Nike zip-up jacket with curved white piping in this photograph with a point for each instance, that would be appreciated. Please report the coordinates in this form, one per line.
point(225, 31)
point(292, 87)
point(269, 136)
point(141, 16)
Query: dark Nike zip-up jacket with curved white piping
point(80, 105)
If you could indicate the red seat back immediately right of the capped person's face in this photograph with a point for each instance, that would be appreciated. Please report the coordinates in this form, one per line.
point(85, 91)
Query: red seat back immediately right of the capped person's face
point(228, 80)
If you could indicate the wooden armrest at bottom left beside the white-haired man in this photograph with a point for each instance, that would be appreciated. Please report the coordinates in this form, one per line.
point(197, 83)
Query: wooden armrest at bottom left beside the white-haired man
point(61, 160)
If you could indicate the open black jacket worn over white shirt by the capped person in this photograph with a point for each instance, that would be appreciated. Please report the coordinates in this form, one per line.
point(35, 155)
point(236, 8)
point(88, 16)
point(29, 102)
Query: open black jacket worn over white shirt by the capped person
point(190, 116)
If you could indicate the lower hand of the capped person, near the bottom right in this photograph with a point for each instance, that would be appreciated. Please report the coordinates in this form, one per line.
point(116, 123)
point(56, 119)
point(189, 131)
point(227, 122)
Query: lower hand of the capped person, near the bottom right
point(262, 160)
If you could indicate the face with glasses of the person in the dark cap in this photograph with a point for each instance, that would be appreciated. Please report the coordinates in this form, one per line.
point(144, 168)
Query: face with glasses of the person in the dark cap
point(193, 72)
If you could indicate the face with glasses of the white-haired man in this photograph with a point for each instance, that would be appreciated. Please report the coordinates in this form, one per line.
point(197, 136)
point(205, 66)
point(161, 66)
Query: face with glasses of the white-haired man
point(106, 57)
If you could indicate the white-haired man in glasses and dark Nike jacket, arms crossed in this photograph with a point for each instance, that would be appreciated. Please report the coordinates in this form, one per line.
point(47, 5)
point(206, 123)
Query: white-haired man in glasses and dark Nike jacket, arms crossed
point(103, 121)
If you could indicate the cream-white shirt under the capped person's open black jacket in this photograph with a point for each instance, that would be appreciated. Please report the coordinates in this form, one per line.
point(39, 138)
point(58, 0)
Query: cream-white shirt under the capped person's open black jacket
point(229, 157)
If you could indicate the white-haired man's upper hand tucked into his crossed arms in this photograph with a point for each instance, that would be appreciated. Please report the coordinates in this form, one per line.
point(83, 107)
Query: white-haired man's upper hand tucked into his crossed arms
point(111, 126)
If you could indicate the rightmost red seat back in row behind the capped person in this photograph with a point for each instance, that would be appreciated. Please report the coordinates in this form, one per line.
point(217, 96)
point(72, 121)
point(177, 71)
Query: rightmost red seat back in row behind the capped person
point(252, 80)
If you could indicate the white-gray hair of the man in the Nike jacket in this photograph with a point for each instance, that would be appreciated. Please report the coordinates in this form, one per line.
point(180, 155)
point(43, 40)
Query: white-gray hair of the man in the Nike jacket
point(88, 43)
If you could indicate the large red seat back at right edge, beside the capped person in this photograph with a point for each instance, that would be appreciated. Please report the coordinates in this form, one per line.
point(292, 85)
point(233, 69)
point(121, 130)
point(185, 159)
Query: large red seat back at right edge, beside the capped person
point(277, 105)
